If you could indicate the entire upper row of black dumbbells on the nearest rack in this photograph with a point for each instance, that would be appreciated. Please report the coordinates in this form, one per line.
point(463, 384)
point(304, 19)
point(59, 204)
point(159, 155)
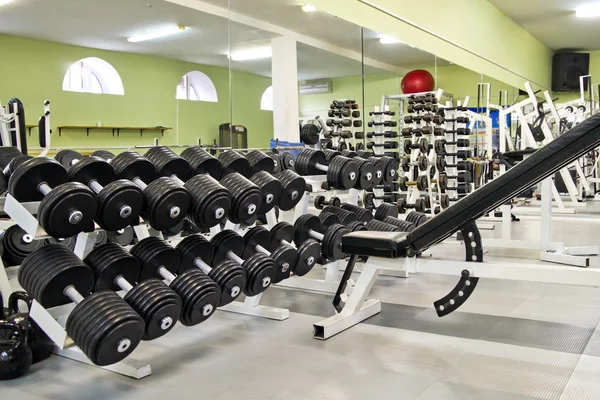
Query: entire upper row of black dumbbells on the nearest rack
point(94, 193)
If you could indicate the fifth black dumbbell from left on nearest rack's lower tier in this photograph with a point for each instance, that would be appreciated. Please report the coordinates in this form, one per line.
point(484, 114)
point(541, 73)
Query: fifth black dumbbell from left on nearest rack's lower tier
point(260, 269)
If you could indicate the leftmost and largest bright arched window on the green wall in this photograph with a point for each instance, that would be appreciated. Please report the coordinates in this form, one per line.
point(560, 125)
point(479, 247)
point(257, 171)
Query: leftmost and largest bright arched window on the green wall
point(93, 75)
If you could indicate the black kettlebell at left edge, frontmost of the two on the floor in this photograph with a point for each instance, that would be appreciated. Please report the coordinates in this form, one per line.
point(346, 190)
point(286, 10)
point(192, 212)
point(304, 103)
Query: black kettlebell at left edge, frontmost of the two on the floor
point(15, 355)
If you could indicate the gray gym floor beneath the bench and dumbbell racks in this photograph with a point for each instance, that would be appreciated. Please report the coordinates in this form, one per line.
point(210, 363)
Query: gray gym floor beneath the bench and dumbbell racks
point(511, 340)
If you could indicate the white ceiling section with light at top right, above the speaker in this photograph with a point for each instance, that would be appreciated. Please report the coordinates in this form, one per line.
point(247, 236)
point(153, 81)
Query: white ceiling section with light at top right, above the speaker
point(554, 23)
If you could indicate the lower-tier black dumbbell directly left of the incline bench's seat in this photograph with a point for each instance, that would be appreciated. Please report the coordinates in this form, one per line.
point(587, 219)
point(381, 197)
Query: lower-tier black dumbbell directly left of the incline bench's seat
point(308, 226)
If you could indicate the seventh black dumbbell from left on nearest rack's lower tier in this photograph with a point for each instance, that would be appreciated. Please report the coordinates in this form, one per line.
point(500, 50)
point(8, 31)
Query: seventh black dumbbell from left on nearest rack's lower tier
point(307, 253)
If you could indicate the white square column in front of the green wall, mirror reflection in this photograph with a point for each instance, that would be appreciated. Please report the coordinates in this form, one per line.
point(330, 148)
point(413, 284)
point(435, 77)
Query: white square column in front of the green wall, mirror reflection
point(286, 111)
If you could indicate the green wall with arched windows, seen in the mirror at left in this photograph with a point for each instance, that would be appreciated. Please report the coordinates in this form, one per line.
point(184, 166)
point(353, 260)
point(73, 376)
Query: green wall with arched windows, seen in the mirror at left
point(33, 71)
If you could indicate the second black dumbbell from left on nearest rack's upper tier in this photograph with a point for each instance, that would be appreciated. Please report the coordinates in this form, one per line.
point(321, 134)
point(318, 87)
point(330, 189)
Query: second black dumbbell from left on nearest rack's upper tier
point(119, 201)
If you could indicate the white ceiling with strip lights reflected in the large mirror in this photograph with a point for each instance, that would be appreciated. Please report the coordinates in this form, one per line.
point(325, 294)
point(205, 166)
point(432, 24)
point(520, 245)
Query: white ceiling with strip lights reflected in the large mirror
point(106, 24)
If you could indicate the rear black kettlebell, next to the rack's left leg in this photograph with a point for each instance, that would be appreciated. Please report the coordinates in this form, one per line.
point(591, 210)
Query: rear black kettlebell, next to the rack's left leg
point(39, 343)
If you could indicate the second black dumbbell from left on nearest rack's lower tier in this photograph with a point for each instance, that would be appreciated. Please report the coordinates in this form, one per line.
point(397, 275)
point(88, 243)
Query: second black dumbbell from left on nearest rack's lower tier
point(157, 304)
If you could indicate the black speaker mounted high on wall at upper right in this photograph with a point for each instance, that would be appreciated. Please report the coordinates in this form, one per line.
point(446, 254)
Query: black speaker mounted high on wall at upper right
point(566, 70)
